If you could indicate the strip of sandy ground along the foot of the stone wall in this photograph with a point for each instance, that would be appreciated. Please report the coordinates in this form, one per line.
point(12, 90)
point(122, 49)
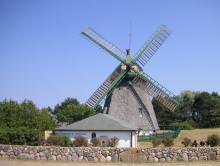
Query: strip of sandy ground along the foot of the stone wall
point(5, 162)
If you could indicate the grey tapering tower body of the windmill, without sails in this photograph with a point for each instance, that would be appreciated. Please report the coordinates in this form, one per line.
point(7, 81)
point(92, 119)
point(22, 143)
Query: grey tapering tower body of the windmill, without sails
point(132, 104)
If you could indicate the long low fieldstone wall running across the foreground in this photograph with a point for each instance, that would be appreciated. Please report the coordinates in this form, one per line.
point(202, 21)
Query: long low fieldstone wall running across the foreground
point(103, 154)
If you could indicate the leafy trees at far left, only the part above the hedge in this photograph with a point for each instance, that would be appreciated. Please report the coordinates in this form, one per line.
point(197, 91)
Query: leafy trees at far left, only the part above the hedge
point(25, 114)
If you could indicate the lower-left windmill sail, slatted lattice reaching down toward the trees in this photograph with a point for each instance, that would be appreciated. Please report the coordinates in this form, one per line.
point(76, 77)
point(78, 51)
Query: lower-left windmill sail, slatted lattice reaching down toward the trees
point(105, 88)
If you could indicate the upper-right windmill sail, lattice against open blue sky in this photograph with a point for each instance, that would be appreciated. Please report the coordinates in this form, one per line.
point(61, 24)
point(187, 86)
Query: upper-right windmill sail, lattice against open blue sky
point(152, 45)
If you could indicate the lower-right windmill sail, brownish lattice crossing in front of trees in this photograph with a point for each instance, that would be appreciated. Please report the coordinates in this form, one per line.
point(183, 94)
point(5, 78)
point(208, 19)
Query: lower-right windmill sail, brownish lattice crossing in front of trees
point(156, 90)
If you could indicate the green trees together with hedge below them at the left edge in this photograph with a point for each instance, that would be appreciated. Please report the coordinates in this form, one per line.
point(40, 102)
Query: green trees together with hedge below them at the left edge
point(23, 123)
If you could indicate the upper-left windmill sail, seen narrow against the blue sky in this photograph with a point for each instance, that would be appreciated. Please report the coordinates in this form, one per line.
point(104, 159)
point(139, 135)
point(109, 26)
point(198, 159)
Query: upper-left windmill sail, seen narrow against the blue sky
point(104, 44)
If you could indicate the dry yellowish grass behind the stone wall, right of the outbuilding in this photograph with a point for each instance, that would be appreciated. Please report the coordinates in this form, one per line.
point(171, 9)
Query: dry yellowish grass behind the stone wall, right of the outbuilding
point(196, 134)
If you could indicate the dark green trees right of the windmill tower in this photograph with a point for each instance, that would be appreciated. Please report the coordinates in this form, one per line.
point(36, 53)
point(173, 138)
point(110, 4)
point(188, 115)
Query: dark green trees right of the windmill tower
point(195, 109)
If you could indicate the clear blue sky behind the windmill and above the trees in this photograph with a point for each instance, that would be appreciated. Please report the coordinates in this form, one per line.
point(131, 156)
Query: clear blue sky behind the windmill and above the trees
point(44, 58)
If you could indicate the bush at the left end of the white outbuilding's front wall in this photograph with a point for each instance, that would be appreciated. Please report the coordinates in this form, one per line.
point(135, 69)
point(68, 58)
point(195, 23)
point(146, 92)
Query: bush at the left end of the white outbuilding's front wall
point(59, 140)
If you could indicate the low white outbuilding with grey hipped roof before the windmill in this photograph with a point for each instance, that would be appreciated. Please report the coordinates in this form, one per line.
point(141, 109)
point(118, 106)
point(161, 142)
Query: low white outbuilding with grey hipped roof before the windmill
point(101, 126)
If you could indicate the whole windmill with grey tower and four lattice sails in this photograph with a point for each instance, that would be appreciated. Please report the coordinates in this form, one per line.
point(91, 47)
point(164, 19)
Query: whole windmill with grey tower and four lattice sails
point(127, 91)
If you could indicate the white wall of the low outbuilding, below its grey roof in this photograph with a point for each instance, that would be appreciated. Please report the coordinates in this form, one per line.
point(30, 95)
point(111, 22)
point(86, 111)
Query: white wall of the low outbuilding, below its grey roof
point(124, 137)
